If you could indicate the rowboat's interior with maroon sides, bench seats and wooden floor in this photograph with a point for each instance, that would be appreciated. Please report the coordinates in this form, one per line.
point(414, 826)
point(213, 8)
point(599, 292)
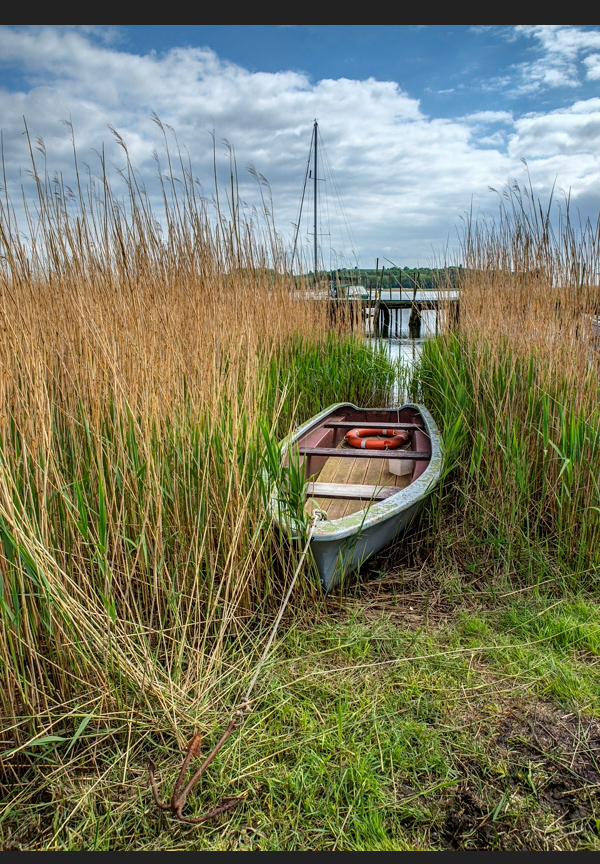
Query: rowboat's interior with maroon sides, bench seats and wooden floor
point(345, 480)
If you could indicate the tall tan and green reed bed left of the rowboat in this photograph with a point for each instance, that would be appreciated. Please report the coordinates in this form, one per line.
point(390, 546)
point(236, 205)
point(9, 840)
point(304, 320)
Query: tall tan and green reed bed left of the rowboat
point(150, 360)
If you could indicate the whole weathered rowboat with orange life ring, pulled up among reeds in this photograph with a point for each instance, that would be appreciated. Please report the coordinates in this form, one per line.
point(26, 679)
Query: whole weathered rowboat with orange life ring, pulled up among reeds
point(367, 496)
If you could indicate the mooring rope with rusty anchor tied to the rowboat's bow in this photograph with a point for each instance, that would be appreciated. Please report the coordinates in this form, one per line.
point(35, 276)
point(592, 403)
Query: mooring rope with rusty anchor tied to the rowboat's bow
point(240, 714)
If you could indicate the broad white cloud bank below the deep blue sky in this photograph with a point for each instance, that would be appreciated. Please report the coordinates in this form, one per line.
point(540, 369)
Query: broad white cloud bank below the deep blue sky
point(405, 177)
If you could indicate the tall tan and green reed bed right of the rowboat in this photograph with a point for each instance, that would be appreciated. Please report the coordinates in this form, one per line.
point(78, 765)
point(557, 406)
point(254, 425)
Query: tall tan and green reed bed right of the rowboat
point(516, 390)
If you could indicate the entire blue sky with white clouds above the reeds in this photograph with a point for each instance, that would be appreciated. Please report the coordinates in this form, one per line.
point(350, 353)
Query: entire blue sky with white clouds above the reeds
point(419, 124)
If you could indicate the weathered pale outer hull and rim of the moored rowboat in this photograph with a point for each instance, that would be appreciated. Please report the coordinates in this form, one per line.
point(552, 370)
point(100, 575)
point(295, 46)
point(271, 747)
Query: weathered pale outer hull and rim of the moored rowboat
point(340, 546)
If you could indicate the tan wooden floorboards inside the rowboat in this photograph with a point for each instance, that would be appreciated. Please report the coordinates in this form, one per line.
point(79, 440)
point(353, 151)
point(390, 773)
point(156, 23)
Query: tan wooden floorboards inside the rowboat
point(359, 471)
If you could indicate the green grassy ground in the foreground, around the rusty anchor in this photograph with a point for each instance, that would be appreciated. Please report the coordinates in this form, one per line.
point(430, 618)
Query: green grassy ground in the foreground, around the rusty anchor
point(478, 732)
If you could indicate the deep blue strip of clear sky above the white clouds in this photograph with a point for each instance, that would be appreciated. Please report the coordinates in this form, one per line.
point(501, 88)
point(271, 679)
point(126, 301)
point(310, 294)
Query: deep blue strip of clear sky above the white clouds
point(451, 68)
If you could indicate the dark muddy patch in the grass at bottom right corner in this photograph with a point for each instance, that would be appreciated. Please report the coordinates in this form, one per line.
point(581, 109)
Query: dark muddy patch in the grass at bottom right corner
point(544, 794)
